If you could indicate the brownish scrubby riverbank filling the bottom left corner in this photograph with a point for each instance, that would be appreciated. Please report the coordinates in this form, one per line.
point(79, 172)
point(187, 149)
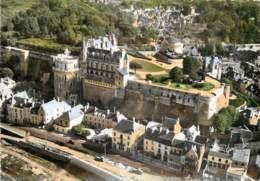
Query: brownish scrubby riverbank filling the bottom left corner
point(17, 164)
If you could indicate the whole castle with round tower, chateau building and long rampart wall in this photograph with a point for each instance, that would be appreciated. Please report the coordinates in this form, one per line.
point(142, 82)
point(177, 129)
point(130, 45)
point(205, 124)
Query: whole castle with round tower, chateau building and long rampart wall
point(101, 75)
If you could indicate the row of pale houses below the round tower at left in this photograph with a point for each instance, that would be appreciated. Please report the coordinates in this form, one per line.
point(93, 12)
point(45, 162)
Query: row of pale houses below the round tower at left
point(57, 113)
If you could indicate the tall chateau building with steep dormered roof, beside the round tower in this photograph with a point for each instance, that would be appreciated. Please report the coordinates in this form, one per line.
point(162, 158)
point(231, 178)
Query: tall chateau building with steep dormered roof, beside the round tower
point(104, 68)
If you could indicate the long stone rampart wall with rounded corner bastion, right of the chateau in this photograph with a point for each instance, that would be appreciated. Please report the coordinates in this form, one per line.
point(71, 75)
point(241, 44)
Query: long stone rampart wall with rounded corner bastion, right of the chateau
point(145, 100)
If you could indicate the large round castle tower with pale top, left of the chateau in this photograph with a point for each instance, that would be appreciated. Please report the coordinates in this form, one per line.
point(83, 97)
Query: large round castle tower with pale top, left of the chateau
point(66, 77)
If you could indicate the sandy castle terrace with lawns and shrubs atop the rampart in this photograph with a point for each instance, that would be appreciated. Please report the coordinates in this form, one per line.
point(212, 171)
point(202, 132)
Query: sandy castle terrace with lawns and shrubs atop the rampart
point(159, 77)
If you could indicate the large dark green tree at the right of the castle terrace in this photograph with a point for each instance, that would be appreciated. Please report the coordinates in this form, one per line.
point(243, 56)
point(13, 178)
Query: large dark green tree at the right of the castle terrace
point(191, 66)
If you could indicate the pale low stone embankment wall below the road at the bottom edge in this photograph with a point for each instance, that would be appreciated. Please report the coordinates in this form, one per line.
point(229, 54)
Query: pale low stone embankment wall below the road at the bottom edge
point(104, 174)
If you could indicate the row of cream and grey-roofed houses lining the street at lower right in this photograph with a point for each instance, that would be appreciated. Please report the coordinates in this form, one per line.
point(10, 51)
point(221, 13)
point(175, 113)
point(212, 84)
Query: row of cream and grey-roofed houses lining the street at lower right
point(186, 151)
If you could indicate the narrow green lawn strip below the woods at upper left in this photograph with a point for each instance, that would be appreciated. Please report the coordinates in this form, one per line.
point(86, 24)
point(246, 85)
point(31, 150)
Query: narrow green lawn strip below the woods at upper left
point(47, 44)
